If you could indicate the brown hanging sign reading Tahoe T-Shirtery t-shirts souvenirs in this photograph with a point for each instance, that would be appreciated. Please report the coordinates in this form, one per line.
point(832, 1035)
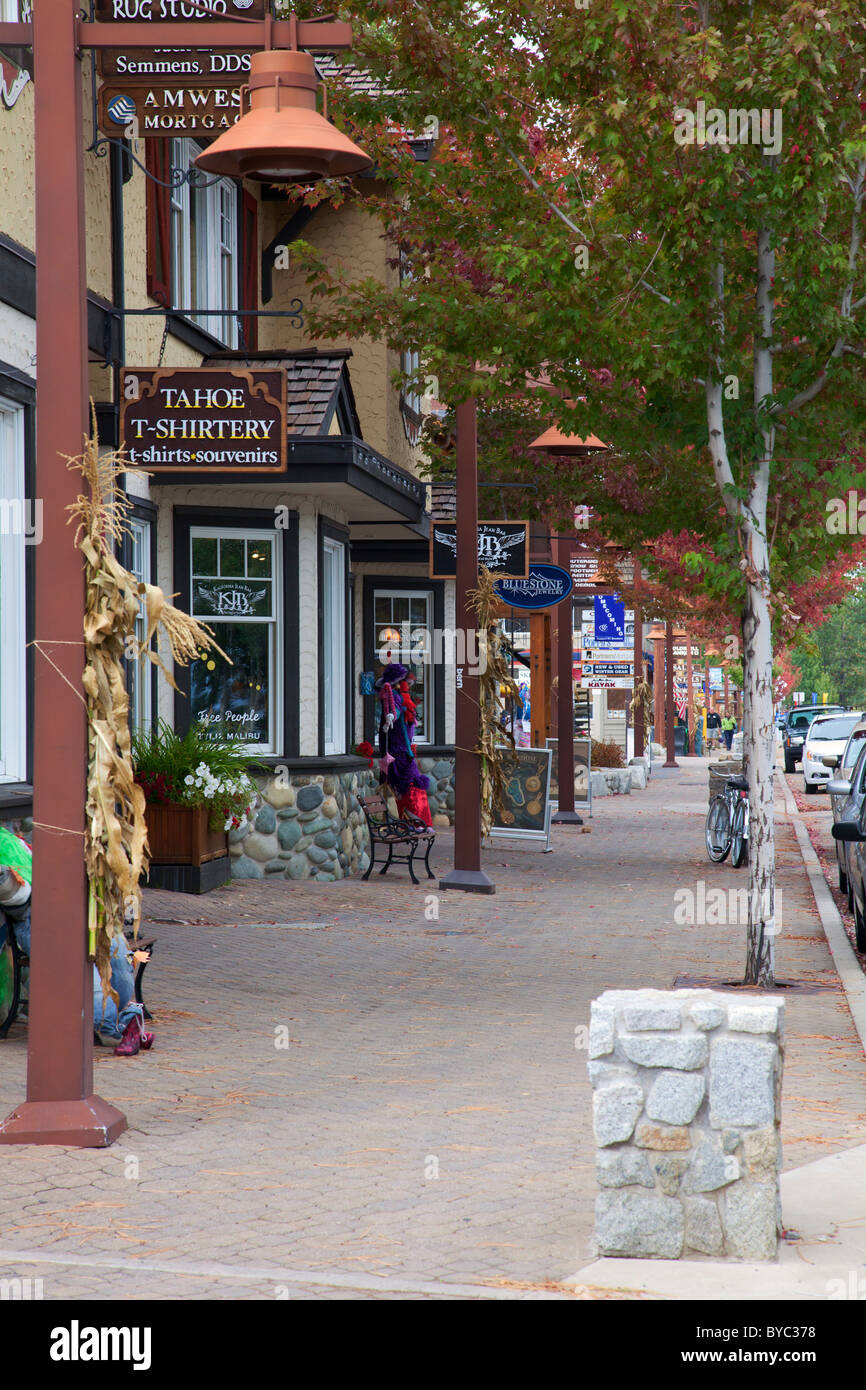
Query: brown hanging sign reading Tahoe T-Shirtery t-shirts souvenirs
point(205, 419)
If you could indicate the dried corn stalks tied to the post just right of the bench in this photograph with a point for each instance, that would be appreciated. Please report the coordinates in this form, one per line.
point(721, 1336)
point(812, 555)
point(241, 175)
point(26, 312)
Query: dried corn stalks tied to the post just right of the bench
point(496, 678)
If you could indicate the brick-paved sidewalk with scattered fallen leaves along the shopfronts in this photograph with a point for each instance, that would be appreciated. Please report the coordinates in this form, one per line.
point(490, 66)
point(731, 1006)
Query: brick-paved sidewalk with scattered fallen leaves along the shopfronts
point(373, 1093)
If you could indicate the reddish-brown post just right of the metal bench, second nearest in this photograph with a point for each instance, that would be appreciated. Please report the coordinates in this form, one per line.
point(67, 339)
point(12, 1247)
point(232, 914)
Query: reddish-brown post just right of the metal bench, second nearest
point(468, 874)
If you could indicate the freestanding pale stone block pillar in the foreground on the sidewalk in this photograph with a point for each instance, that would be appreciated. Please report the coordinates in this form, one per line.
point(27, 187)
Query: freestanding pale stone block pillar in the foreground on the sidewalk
point(687, 1107)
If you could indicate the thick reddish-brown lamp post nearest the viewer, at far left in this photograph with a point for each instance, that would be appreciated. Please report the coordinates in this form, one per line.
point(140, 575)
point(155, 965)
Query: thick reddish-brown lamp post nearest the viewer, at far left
point(60, 1106)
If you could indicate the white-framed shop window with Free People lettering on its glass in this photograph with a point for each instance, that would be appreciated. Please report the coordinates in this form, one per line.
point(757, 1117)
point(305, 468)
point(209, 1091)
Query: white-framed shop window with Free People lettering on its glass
point(236, 587)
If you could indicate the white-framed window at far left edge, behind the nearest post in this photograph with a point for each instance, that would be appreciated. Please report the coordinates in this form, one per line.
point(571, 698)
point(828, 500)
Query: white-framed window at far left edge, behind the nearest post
point(13, 604)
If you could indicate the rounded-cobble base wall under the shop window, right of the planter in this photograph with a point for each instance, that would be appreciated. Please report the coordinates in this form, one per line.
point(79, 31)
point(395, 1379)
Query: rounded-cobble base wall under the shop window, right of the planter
point(305, 828)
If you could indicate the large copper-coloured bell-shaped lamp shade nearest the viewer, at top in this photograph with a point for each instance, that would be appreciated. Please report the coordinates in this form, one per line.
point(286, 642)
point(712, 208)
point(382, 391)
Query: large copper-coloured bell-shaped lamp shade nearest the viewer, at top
point(283, 138)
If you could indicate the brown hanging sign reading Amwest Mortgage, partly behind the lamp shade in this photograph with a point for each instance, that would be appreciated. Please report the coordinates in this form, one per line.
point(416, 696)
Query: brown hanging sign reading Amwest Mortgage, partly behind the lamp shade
point(168, 109)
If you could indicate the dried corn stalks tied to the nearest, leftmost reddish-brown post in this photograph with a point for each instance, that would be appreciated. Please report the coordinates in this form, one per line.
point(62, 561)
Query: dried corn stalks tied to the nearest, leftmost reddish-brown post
point(116, 836)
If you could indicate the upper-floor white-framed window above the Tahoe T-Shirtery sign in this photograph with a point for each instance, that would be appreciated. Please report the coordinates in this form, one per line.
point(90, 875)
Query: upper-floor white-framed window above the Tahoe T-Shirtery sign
point(205, 247)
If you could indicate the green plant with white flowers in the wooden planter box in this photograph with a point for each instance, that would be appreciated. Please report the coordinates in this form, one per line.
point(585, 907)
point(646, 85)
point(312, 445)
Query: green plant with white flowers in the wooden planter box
point(195, 769)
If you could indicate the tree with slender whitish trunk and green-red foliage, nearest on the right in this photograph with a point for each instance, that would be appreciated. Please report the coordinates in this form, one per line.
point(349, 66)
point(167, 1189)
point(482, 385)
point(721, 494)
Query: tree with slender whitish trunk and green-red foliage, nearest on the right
point(660, 206)
